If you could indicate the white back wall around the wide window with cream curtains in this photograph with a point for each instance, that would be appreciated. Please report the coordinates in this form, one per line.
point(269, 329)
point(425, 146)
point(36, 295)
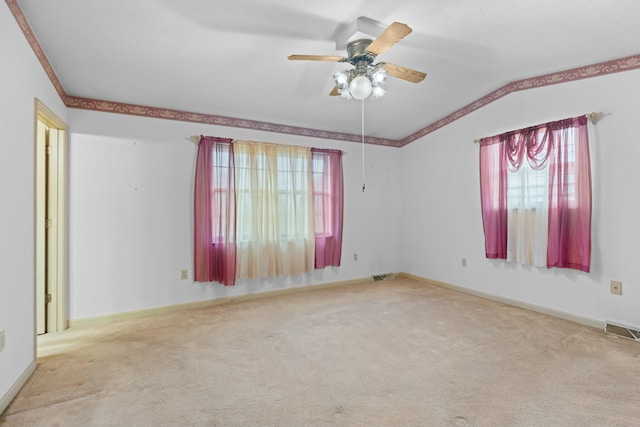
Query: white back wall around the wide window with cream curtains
point(130, 213)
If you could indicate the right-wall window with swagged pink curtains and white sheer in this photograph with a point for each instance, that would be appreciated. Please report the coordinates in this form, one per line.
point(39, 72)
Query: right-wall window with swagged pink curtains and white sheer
point(536, 195)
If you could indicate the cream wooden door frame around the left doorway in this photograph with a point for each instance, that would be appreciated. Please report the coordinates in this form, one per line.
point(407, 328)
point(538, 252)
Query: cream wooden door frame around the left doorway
point(57, 319)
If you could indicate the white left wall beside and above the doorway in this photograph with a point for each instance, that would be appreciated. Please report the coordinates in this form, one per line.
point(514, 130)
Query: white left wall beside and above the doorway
point(21, 80)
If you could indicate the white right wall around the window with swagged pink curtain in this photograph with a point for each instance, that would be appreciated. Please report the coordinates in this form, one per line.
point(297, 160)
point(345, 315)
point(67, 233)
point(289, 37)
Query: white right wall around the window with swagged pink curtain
point(441, 202)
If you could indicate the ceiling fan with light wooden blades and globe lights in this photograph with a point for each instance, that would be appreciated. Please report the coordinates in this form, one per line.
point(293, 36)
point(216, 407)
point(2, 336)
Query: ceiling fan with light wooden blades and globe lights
point(366, 78)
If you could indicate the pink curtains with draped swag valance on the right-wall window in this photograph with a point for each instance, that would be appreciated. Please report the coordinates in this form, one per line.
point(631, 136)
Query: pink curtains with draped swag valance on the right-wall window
point(563, 146)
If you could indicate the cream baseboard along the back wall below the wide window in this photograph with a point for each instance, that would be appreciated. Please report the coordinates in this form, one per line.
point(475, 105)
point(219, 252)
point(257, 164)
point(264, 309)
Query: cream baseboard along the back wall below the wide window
point(138, 314)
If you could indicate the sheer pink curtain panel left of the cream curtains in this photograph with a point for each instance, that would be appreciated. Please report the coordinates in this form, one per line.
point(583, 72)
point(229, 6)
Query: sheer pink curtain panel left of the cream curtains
point(214, 212)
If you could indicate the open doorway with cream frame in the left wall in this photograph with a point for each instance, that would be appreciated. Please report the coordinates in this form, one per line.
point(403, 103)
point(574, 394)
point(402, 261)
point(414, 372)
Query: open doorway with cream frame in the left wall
point(51, 220)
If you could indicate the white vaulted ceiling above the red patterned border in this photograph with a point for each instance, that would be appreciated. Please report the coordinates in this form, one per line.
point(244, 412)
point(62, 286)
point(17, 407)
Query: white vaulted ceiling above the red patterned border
point(229, 58)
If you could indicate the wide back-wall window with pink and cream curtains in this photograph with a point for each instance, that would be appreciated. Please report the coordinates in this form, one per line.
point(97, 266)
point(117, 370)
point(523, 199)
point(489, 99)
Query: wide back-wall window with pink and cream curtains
point(264, 209)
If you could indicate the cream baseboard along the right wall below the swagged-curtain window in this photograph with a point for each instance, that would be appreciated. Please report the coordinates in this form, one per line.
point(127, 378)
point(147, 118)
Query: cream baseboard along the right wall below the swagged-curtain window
point(587, 321)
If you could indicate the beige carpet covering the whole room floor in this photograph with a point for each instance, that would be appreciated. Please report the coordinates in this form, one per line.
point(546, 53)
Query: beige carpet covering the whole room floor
point(390, 353)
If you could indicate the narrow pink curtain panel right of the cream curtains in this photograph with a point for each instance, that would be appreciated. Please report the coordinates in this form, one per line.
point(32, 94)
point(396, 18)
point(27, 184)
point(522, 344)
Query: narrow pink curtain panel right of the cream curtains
point(328, 206)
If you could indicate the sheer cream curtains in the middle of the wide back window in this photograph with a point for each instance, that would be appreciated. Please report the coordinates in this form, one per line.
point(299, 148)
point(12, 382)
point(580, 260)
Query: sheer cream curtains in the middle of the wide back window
point(275, 229)
